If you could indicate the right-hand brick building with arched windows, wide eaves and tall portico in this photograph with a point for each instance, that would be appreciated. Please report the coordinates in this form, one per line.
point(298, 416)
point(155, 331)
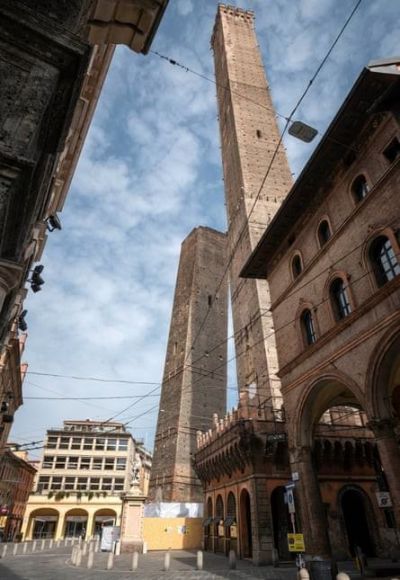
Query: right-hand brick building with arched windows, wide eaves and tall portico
point(332, 259)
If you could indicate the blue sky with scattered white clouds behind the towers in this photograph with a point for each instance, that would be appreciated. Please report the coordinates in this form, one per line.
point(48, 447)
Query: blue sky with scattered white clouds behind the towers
point(150, 172)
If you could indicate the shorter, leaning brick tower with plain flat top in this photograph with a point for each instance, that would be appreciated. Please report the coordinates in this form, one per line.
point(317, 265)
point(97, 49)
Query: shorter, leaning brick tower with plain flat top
point(191, 390)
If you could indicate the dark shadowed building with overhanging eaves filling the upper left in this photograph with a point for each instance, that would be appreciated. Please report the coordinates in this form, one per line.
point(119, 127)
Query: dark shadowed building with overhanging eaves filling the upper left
point(55, 60)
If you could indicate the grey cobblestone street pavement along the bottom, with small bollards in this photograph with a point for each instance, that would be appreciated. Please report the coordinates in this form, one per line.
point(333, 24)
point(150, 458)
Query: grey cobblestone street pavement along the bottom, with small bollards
point(56, 565)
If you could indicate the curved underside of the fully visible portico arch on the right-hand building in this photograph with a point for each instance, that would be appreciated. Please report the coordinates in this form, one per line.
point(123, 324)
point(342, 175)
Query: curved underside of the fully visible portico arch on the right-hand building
point(331, 389)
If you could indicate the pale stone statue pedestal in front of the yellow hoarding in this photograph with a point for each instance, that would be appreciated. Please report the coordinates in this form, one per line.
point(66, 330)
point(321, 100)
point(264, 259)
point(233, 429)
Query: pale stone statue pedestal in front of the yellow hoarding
point(132, 521)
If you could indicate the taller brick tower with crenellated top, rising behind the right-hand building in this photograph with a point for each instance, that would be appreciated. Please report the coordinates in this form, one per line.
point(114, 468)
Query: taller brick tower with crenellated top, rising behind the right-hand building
point(249, 136)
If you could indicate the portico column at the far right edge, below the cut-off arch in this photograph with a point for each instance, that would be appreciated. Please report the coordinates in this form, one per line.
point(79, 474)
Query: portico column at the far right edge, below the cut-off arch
point(389, 454)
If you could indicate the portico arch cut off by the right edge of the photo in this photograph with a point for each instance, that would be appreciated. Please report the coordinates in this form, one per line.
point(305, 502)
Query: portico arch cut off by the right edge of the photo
point(384, 377)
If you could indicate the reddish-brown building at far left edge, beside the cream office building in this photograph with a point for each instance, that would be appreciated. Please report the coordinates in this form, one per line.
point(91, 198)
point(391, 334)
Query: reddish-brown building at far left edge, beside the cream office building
point(16, 483)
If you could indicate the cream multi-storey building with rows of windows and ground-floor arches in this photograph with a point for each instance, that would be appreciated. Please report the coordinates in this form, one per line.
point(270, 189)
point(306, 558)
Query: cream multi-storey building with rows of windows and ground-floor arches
point(86, 470)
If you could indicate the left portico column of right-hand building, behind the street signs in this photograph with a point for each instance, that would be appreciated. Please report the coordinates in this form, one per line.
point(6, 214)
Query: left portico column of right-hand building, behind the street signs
point(309, 504)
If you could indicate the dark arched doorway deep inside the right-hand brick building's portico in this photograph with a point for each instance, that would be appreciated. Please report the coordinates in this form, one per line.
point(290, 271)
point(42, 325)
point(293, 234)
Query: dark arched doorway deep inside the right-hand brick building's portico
point(356, 520)
